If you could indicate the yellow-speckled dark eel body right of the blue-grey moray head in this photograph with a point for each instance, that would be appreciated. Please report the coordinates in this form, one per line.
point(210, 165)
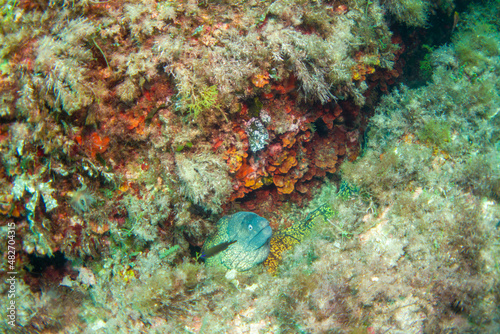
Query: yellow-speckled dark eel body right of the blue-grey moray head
point(295, 234)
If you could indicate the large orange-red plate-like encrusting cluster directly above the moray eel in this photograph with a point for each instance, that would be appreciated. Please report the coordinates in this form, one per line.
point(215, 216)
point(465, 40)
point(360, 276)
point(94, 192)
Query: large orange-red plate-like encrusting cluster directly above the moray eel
point(297, 157)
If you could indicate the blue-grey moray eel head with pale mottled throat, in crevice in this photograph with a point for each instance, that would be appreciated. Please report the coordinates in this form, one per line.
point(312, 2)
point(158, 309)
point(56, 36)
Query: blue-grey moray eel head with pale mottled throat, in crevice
point(241, 242)
